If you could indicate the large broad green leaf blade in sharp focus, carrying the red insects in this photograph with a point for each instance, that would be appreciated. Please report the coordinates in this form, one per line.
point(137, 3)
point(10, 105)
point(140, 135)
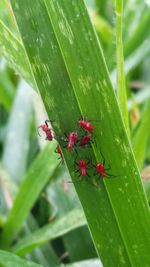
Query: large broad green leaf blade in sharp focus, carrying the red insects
point(70, 72)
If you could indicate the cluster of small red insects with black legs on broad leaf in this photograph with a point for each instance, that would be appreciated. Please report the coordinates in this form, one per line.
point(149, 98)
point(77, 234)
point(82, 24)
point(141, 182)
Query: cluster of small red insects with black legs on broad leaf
point(74, 142)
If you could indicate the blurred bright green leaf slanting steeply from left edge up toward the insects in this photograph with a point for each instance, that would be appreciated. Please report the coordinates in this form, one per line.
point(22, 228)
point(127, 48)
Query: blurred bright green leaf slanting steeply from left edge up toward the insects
point(34, 181)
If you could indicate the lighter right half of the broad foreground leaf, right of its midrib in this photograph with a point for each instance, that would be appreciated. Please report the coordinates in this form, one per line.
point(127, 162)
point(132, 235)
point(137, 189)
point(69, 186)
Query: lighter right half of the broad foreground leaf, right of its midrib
point(86, 88)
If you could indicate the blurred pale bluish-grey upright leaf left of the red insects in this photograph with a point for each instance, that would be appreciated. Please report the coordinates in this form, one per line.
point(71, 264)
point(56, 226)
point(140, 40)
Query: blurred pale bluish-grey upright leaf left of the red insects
point(17, 135)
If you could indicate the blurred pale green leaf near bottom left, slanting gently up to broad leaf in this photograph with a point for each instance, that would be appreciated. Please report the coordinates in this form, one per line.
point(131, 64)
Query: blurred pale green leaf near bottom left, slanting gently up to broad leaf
point(67, 223)
